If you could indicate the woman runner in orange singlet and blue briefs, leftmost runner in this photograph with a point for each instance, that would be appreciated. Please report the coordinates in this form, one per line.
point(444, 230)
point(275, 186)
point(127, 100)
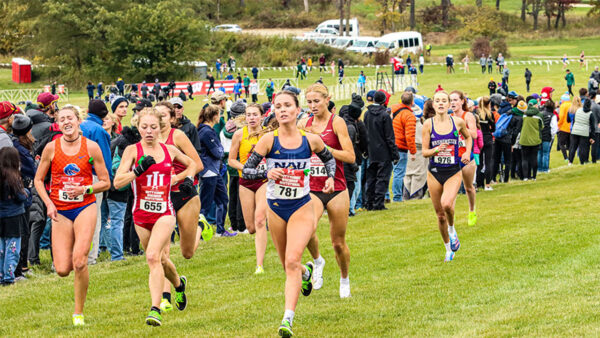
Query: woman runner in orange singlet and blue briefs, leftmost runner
point(71, 204)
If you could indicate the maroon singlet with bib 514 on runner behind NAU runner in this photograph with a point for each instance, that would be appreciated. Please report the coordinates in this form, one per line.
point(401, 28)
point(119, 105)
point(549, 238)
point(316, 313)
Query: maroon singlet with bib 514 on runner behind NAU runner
point(318, 175)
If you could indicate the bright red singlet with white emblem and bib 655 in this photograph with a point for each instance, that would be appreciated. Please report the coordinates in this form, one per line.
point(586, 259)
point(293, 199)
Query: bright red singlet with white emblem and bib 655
point(152, 191)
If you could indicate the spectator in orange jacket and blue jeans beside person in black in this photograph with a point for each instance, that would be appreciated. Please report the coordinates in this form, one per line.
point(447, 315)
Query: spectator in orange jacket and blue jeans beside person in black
point(404, 122)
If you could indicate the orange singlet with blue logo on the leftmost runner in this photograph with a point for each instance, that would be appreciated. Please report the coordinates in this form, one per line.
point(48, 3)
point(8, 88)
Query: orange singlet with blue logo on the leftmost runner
point(67, 171)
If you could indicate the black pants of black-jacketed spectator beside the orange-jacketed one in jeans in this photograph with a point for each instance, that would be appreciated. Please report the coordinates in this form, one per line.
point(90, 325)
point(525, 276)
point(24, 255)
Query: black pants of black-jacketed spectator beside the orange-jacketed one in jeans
point(378, 178)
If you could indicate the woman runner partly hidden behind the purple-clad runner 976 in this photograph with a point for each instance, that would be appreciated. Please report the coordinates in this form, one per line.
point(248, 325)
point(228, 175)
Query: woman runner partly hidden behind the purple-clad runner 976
point(459, 107)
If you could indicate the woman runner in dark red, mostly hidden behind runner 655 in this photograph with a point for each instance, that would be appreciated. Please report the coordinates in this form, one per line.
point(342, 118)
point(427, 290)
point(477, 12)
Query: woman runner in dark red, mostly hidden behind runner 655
point(184, 195)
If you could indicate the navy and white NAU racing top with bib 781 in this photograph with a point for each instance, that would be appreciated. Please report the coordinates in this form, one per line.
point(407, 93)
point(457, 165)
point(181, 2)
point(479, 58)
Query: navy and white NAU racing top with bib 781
point(295, 183)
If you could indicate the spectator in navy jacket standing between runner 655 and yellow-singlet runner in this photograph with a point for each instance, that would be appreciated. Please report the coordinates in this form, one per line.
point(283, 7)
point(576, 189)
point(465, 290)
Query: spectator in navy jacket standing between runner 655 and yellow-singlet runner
point(212, 188)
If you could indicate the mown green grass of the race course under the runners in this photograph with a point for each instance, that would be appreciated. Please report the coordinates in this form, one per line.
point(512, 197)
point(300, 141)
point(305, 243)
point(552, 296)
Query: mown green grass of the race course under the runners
point(529, 268)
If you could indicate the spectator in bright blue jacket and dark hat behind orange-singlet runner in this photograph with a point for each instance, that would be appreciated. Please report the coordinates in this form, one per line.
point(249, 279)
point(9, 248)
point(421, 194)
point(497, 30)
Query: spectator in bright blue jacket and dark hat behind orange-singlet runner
point(92, 129)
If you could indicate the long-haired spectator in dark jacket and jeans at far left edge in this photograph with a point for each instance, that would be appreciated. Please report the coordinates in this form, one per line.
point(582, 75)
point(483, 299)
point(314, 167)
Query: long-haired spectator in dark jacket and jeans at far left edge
point(13, 197)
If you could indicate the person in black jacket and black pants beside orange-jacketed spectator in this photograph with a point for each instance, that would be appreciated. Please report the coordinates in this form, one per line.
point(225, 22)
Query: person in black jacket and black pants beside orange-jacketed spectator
point(382, 152)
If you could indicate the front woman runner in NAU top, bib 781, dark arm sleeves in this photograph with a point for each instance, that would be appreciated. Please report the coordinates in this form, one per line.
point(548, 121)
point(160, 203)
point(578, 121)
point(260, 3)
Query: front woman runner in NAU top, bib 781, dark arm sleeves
point(288, 151)
